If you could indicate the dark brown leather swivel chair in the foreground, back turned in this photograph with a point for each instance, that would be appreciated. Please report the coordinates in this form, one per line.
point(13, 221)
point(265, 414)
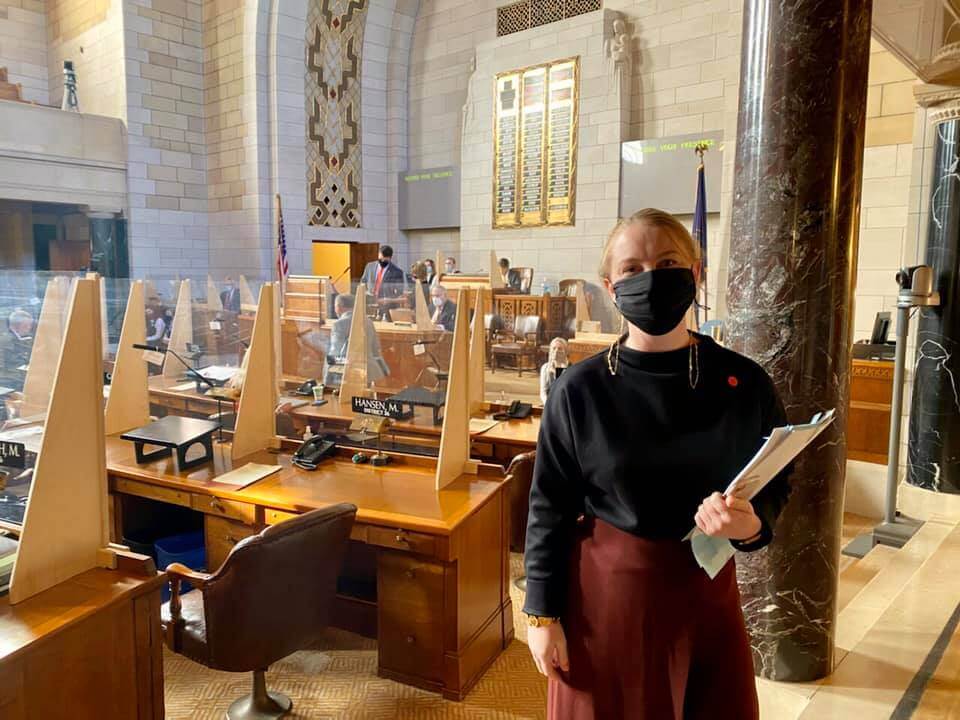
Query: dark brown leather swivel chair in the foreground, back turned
point(271, 597)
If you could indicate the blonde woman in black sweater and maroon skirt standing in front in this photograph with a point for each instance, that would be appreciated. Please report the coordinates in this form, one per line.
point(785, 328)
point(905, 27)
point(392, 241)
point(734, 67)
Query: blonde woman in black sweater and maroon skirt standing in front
point(636, 444)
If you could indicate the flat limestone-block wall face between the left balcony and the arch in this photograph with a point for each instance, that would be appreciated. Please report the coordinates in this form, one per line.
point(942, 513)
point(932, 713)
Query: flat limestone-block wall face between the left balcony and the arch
point(165, 118)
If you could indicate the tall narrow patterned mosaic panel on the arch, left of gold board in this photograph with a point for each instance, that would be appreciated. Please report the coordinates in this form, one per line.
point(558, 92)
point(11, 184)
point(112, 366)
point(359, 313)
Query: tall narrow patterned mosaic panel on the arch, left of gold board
point(334, 48)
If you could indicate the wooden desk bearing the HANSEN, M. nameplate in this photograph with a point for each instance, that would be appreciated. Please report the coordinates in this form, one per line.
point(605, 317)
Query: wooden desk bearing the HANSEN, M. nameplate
point(427, 571)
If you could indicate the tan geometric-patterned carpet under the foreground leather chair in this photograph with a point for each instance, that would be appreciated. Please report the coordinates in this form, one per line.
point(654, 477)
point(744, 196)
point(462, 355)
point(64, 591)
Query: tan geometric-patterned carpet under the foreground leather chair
point(339, 680)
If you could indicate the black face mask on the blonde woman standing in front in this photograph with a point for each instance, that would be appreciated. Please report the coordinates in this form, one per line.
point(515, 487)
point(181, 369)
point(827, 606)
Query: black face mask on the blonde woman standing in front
point(656, 301)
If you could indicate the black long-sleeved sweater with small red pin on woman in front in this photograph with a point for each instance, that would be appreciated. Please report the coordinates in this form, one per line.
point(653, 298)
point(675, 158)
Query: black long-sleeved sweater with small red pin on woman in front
point(641, 450)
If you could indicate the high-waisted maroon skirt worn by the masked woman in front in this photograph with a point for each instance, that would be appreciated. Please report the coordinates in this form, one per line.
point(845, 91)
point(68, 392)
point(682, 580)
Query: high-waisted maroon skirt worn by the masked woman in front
point(650, 636)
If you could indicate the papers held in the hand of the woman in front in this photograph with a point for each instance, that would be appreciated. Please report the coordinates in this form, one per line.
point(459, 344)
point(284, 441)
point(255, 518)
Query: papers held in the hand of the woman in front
point(783, 445)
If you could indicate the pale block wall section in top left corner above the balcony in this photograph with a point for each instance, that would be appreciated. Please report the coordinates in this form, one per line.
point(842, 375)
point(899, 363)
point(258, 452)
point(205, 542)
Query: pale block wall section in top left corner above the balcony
point(23, 47)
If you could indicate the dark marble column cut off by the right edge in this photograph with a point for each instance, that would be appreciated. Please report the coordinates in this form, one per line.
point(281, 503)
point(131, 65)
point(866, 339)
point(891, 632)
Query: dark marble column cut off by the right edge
point(933, 455)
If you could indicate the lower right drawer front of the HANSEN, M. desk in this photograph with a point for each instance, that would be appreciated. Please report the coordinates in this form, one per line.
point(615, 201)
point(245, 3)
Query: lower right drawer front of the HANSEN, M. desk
point(411, 620)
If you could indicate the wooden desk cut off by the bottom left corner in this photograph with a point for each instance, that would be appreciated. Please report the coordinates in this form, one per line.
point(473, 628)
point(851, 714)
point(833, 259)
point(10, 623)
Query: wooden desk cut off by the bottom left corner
point(90, 647)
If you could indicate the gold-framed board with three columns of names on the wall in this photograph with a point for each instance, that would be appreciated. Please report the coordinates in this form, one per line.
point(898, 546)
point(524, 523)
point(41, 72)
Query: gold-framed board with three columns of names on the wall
point(535, 131)
